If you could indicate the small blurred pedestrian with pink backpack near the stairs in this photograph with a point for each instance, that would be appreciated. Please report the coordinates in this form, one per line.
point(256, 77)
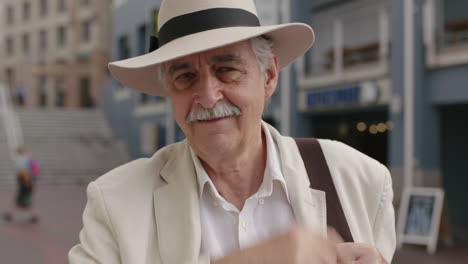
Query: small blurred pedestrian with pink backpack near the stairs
point(25, 186)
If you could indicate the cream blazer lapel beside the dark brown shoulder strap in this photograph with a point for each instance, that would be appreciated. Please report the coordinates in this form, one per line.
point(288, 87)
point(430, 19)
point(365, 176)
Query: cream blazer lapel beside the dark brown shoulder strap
point(308, 204)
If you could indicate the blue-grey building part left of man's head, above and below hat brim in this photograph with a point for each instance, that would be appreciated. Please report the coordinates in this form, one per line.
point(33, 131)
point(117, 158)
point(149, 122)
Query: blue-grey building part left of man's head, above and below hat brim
point(138, 119)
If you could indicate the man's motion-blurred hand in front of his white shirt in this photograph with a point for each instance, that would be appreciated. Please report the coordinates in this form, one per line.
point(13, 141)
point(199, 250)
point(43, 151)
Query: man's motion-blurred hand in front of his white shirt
point(298, 246)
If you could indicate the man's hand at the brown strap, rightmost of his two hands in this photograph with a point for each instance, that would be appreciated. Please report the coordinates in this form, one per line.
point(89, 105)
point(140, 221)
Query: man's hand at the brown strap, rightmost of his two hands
point(358, 253)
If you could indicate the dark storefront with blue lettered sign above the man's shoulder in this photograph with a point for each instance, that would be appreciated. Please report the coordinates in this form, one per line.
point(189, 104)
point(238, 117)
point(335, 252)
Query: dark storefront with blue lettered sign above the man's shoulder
point(354, 114)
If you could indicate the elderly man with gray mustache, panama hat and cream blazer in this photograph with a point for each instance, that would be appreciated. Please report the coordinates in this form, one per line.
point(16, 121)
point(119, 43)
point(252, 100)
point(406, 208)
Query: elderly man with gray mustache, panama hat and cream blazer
point(235, 191)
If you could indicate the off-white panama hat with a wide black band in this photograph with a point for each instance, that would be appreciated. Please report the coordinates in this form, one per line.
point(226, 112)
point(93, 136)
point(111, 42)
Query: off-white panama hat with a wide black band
point(191, 26)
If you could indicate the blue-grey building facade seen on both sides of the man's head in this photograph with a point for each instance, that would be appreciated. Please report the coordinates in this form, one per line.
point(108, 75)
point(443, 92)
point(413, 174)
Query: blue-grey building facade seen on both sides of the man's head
point(351, 86)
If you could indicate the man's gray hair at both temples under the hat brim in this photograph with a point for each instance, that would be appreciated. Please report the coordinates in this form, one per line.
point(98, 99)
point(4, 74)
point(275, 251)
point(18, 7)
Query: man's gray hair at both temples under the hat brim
point(262, 46)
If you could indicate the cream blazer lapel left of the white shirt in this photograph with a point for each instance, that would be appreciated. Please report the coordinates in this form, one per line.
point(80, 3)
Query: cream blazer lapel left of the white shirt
point(177, 210)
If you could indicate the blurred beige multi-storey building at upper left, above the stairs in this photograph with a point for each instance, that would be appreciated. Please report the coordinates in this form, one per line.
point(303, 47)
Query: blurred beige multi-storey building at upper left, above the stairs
point(55, 53)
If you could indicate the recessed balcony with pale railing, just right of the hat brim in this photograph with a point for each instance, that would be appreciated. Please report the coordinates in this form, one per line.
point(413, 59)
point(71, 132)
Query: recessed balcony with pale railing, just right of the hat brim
point(352, 45)
